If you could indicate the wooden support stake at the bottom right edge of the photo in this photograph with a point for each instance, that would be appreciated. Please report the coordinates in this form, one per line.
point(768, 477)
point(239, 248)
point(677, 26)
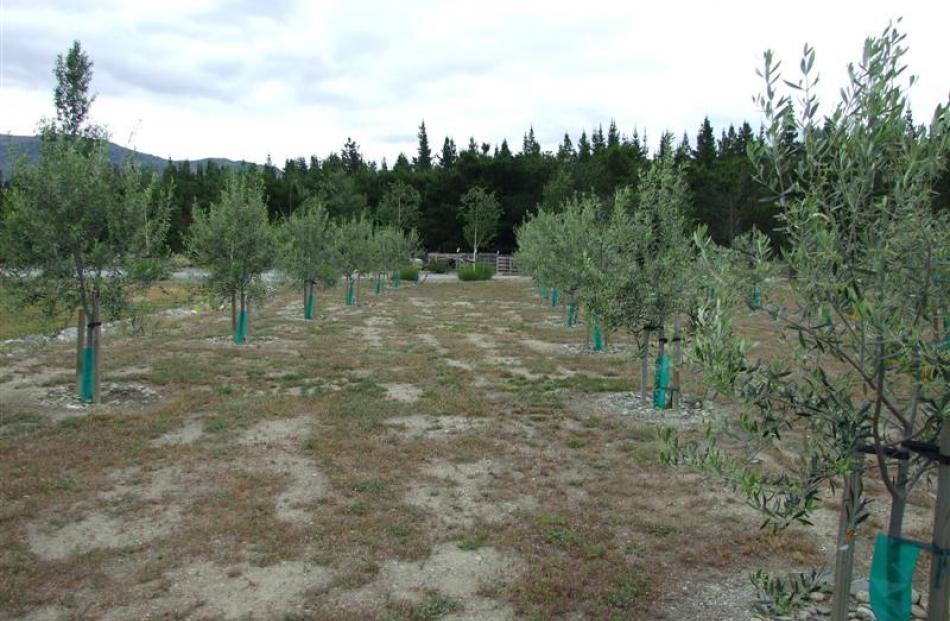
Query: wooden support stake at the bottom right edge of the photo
point(939, 607)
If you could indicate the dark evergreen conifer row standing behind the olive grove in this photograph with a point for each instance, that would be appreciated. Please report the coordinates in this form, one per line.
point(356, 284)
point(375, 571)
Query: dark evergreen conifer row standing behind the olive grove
point(425, 191)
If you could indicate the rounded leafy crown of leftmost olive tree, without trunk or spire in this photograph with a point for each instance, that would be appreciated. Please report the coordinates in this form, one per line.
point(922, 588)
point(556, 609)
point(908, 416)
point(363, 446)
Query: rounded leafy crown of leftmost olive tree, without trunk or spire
point(74, 228)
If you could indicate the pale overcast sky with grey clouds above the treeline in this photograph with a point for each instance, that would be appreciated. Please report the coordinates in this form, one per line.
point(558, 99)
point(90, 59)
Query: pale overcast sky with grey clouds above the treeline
point(246, 78)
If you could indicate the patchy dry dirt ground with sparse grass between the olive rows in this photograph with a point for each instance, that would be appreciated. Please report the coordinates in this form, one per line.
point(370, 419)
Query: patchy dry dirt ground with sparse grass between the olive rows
point(442, 451)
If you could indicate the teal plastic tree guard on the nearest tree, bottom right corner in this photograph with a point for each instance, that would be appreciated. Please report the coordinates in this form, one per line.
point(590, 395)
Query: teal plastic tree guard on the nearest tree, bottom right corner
point(892, 571)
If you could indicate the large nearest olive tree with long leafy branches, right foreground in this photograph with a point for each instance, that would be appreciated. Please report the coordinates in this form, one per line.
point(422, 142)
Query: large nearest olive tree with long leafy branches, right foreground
point(867, 362)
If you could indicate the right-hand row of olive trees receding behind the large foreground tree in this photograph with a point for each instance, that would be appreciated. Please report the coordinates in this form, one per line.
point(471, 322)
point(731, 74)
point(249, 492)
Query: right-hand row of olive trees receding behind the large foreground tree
point(630, 264)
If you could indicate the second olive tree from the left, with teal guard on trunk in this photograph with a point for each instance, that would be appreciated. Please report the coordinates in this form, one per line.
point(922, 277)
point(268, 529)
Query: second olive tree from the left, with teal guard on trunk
point(235, 242)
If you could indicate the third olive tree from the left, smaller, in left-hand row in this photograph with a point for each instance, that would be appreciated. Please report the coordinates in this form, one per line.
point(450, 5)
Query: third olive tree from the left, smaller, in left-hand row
point(307, 251)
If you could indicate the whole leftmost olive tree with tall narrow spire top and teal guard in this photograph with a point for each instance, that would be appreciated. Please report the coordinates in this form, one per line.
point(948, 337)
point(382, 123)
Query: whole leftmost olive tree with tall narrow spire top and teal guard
point(76, 231)
